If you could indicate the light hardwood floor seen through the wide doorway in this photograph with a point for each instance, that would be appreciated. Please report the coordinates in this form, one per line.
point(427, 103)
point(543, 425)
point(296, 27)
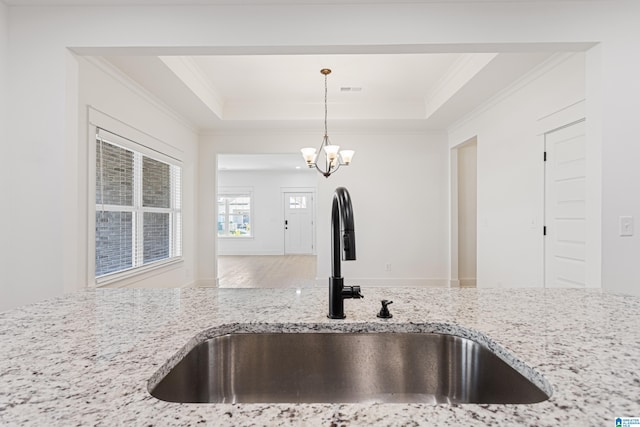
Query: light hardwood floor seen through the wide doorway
point(271, 271)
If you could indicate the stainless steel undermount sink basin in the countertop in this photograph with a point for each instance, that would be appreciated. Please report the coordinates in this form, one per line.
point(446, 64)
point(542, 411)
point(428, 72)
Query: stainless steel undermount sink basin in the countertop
point(344, 368)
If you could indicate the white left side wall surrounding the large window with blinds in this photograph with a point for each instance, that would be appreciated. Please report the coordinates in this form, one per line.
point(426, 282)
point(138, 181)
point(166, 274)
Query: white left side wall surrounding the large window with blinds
point(102, 89)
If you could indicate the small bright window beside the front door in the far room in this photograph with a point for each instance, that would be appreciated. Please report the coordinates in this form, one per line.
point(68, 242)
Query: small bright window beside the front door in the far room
point(234, 215)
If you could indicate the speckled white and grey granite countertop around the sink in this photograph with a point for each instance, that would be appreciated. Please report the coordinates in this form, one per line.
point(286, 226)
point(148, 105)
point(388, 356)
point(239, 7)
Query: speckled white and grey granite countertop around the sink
point(86, 358)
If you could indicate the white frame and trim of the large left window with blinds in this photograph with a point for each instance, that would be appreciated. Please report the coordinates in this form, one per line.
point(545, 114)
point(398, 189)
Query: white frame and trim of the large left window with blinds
point(142, 145)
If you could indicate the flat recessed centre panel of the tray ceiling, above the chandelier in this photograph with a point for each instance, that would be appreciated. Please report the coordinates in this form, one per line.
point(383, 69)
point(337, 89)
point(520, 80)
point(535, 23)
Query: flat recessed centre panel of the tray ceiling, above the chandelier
point(297, 79)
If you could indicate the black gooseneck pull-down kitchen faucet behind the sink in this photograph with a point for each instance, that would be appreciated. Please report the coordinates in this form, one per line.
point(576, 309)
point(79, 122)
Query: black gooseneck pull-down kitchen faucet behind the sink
point(341, 221)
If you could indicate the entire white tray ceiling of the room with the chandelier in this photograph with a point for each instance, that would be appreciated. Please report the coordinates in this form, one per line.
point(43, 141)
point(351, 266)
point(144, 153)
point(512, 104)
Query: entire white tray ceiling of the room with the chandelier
point(396, 91)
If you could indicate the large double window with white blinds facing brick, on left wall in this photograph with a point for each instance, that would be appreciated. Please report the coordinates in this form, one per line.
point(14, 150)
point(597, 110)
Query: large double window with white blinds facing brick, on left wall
point(138, 207)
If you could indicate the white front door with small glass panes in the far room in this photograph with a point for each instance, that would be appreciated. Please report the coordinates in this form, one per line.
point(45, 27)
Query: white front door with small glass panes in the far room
point(298, 223)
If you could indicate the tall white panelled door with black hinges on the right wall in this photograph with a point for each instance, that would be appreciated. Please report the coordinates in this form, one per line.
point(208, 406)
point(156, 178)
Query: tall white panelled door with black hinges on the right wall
point(565, 174)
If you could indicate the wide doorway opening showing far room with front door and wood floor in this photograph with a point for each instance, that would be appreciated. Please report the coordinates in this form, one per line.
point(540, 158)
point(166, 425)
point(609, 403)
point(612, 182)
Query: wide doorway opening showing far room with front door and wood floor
point(266, 221)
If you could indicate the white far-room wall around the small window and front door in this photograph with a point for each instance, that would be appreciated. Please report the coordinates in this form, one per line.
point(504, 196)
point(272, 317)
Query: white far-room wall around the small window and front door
point(268, 209)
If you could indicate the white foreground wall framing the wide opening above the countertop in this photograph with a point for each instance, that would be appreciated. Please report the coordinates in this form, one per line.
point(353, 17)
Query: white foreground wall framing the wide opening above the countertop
point(40, 78)
